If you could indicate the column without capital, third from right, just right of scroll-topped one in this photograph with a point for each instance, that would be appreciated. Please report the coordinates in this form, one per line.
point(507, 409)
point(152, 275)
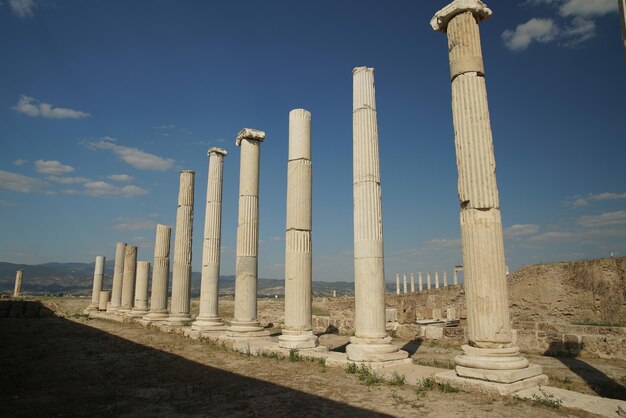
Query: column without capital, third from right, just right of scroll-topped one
point(298, 330)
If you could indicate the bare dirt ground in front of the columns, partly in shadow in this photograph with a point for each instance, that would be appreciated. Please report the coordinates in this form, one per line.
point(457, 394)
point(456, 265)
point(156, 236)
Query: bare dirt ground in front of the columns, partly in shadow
point(74, 366)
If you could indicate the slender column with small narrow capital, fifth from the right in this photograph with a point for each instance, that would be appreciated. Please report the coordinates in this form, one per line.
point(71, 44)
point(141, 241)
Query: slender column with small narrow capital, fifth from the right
point(208, 318)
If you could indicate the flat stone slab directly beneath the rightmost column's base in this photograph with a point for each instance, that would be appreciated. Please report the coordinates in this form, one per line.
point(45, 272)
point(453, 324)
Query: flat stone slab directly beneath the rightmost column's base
point(489, 388)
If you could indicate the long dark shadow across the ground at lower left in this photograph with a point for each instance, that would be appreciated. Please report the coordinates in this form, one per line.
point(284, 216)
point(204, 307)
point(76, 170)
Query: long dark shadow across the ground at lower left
point(56, 367)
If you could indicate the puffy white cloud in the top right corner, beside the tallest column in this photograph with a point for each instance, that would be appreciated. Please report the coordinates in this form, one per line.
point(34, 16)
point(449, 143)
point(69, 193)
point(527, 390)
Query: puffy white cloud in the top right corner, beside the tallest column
point(575, 26)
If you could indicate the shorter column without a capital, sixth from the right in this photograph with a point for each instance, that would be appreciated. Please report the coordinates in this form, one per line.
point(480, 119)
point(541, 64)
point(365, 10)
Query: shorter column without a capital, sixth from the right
point(180, 311)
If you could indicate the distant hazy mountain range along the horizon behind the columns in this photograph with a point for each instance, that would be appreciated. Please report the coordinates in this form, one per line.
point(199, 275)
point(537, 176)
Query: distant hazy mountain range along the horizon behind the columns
point(77, 279)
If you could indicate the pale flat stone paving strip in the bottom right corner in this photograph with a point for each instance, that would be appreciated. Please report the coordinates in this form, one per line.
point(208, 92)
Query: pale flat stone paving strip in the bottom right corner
point(594, 404)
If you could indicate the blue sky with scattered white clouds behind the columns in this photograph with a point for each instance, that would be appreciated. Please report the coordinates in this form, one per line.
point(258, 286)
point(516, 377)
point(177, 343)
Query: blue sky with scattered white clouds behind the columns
point(103, 102)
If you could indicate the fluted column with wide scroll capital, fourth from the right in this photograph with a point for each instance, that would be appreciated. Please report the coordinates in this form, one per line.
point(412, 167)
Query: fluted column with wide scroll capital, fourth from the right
point(245, 321)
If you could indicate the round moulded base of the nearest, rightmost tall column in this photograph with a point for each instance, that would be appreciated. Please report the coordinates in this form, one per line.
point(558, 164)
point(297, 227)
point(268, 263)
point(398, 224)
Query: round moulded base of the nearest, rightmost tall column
point(501, 365)
